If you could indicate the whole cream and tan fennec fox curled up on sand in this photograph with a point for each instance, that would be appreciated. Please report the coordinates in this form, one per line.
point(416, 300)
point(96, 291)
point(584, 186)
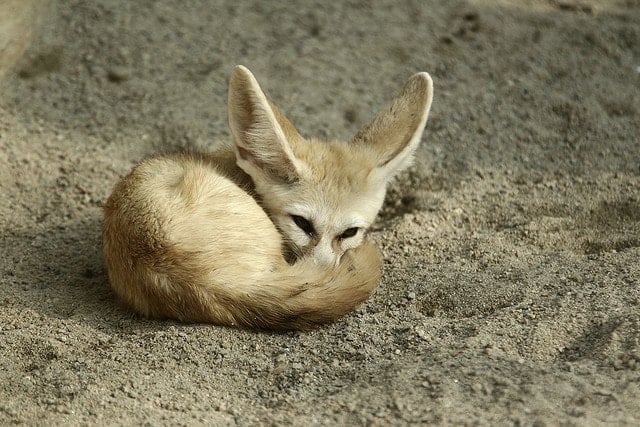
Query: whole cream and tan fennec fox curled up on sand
point(268, 233)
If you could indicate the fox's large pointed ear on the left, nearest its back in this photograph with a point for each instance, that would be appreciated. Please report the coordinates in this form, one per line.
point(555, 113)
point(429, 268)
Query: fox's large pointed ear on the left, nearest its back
point(261, 132)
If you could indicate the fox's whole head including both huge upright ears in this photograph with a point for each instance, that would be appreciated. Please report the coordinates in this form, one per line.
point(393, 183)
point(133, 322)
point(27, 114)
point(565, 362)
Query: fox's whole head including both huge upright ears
point(323, 195)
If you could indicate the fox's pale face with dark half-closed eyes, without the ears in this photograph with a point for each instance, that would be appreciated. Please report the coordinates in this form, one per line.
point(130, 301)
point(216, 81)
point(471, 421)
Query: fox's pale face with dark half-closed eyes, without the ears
point(327, 209)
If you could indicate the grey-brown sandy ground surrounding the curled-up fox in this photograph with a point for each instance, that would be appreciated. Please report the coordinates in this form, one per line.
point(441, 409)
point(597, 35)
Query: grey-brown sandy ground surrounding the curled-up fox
point(511, 287)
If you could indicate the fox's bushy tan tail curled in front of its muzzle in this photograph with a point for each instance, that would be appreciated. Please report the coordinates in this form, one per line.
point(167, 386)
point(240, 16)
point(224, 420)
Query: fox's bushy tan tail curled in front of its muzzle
point(304, 296)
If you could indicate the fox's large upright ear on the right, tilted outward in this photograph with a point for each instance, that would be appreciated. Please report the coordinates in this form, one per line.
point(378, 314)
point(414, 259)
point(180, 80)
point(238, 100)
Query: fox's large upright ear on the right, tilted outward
point(395, 133)
